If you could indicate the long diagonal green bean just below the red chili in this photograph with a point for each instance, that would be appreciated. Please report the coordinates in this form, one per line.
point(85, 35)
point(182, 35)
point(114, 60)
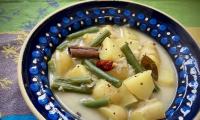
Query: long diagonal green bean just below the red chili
point(100, 73)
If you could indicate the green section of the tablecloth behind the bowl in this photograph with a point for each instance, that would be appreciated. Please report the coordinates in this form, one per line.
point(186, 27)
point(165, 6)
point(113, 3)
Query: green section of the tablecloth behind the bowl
point(17, 15)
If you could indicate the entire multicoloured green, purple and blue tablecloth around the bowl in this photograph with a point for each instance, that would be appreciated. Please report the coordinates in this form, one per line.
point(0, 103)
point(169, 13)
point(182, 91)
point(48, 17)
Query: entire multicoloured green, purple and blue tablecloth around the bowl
point(18, 17)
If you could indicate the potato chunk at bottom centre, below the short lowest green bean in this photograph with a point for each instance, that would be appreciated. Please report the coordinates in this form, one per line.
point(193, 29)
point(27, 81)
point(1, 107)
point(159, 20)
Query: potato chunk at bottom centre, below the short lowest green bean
point(114, 112)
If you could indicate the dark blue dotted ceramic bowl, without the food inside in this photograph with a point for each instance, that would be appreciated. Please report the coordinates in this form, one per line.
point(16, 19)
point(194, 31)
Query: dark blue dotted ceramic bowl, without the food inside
point(41, 43)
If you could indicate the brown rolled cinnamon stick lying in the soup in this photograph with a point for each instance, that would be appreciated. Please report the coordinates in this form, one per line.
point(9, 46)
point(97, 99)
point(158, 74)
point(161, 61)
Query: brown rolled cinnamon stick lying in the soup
point(83, 52)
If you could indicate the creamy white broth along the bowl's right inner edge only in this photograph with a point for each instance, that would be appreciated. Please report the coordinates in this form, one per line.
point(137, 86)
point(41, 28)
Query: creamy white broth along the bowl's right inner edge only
point(167, 93)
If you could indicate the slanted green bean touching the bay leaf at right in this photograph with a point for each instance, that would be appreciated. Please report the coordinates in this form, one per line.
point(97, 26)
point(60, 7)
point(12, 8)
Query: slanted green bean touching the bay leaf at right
point(131, 58)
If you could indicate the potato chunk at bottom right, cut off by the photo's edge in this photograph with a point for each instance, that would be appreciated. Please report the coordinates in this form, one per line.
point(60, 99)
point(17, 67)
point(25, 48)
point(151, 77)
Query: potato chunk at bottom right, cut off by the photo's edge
point(153, 110)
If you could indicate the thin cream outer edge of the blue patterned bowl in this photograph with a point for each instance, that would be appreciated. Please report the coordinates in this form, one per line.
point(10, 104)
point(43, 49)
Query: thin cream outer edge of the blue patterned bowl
point(19, 67)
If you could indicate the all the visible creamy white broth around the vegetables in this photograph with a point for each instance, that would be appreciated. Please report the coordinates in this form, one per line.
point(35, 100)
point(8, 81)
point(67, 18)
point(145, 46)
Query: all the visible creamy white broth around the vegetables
point(166, 94)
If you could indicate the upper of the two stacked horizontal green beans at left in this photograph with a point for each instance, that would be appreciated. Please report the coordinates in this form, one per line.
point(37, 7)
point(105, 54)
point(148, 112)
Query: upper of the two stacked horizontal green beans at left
point(73, 81)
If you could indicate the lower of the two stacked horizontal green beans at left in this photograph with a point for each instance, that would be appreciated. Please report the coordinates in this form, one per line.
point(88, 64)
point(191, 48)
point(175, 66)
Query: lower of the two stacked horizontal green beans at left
point(73, 88)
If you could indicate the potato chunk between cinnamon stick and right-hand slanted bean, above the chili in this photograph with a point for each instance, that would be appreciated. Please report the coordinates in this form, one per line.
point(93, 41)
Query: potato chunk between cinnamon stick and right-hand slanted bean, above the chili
point(110, 50)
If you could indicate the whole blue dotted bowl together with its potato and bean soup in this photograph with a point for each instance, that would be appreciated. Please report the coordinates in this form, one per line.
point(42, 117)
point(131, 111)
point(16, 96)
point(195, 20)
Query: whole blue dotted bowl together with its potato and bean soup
point(110, 60)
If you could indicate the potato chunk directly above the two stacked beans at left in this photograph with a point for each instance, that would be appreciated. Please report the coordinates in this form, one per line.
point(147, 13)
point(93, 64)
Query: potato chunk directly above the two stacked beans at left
point(78, 71)
